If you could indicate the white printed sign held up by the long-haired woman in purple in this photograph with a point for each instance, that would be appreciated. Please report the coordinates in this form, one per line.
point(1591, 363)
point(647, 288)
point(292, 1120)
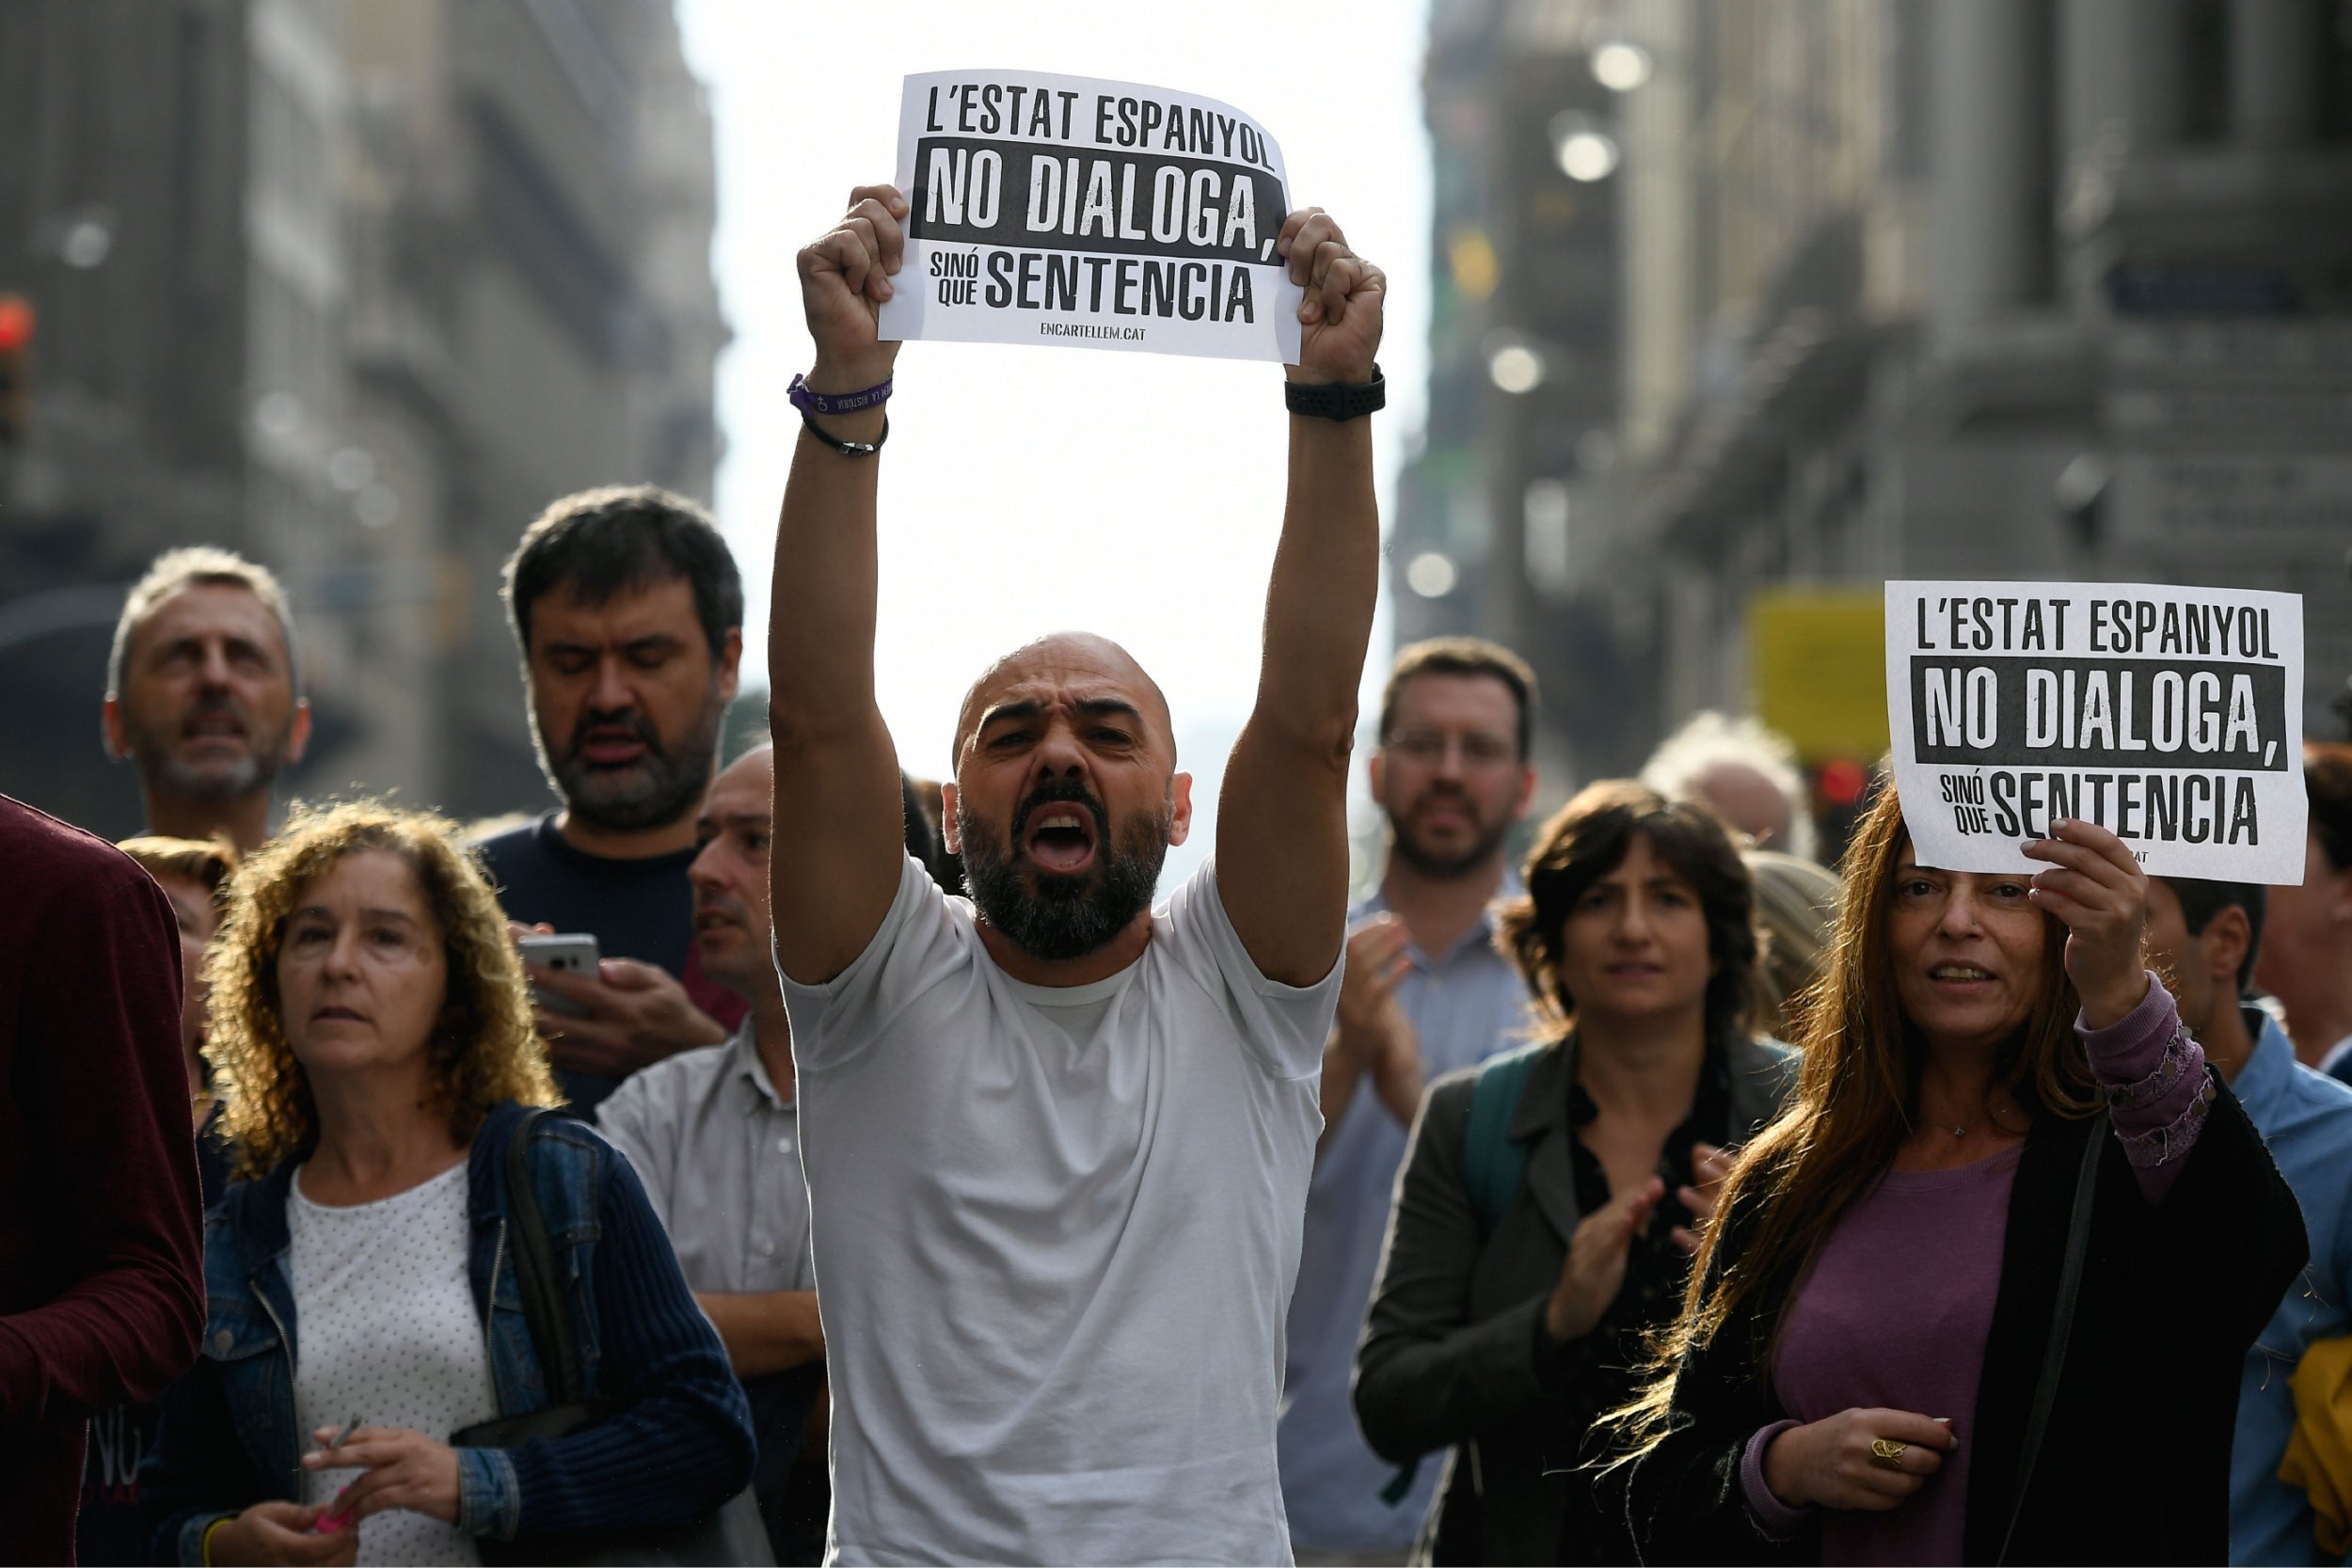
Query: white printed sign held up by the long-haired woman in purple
point(2170, 716)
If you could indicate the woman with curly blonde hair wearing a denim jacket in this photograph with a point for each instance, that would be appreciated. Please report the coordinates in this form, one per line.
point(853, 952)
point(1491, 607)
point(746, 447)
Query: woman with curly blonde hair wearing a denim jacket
point(375, 1052)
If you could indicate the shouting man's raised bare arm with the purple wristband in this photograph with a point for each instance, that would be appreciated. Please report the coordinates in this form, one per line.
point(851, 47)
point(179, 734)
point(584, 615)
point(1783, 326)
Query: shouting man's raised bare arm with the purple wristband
point(838, 836)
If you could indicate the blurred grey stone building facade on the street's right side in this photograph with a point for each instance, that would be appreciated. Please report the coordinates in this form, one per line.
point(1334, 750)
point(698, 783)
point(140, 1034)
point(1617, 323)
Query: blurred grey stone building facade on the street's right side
point(1904, 288)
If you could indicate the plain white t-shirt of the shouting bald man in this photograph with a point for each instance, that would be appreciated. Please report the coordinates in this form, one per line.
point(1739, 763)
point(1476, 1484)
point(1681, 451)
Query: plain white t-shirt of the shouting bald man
point(1057, 1233)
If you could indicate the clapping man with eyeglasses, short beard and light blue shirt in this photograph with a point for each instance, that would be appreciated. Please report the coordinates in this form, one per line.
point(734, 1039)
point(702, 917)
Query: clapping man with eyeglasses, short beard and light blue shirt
point(1424, 993)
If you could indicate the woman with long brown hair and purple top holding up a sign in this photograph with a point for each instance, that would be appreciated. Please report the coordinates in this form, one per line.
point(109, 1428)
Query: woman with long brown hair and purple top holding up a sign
point(1986, 1287)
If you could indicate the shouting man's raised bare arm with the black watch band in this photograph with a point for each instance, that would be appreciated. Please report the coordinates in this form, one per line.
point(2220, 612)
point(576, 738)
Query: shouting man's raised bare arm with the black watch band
point(1283, 817)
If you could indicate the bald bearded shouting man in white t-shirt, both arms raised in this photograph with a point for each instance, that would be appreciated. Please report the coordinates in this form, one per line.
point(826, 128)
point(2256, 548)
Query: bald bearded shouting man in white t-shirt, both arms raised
point(1060, 1141)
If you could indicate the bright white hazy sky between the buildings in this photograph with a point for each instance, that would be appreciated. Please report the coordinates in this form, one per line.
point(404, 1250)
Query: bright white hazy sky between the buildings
point(1029, 490)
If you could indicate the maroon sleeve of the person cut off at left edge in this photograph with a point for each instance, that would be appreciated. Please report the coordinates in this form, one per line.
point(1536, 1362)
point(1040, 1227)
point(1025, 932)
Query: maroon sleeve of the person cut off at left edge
point(109, 1224)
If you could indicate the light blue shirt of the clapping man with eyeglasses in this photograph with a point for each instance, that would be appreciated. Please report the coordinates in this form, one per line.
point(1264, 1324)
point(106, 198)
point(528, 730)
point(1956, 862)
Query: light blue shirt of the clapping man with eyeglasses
point(1464, 1005)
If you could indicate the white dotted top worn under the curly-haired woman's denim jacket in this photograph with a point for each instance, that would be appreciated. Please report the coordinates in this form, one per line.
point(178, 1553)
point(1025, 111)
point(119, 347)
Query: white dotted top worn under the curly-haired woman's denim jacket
point(385, 1332)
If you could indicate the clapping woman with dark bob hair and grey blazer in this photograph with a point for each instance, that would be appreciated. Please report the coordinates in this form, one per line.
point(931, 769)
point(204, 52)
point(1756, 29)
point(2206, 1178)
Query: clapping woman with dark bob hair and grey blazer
point(1549, 1200)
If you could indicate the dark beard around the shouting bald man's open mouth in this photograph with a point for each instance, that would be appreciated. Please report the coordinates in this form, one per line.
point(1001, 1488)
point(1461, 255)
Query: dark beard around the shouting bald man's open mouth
point(1064, 918)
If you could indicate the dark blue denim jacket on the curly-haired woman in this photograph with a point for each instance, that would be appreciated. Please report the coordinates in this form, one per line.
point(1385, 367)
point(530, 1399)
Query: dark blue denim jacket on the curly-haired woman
point(676, 1447)
